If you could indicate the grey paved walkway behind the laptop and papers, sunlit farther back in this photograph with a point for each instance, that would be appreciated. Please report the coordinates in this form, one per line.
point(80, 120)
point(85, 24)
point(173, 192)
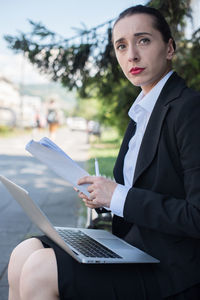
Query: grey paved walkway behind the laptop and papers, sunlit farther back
point(56, 198)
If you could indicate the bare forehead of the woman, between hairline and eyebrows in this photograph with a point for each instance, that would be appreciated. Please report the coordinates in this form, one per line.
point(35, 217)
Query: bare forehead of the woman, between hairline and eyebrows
point(133, 24)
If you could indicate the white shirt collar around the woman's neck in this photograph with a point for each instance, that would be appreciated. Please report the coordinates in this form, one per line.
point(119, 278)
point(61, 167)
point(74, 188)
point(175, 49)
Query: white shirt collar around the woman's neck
point(148, 101)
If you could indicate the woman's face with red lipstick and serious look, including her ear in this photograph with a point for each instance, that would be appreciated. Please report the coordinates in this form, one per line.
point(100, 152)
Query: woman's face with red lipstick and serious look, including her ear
point(140, 50)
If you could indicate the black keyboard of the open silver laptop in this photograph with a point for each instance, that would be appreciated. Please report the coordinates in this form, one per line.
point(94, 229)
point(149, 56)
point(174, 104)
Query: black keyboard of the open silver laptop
point(85, 244)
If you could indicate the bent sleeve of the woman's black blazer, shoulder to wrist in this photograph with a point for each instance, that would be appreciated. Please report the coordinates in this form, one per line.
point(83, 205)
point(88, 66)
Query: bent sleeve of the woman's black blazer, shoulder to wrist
point(165, 213)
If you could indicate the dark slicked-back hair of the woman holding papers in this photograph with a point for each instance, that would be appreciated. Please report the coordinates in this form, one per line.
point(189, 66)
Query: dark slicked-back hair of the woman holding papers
point(159, 21)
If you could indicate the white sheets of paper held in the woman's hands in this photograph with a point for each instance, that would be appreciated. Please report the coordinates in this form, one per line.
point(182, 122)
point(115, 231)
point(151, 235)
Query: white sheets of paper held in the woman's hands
point(54, 157)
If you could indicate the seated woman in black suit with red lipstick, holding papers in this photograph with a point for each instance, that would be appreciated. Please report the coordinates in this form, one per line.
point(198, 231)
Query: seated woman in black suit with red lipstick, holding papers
point(156, 197)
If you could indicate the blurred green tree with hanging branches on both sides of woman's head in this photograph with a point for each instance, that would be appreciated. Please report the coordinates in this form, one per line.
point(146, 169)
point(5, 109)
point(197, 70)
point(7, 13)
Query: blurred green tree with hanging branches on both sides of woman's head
point(87, 62)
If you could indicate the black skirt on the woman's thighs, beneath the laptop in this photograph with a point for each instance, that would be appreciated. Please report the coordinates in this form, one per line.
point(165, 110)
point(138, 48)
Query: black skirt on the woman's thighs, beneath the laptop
point(102, 281)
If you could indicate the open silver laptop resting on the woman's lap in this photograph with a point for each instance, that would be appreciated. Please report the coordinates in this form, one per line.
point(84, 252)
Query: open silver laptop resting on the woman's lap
point(90, 246)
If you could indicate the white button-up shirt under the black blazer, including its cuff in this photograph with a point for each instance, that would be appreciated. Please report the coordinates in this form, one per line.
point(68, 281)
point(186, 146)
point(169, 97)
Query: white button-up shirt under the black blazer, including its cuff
point(140, 112)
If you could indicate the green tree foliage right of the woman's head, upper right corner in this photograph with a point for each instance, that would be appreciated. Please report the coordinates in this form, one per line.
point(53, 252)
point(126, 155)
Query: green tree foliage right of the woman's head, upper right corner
point(187, 58)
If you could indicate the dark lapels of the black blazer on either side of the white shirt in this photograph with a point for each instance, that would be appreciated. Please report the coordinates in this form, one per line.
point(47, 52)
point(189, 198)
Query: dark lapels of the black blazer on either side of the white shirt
point(171, 91)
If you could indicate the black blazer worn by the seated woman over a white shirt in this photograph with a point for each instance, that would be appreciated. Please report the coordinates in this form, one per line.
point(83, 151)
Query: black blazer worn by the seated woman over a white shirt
point(162, 209)
